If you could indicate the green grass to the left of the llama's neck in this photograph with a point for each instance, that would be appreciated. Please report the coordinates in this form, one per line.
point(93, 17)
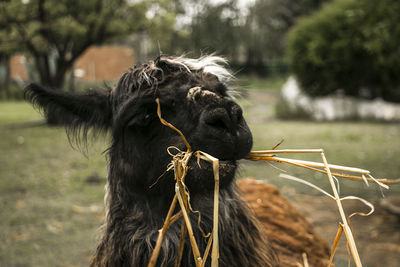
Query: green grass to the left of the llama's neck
point(41, 180)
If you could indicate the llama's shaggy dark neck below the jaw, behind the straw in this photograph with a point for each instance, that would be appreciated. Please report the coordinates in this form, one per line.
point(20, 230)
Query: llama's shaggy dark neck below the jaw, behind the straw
point(134, 217)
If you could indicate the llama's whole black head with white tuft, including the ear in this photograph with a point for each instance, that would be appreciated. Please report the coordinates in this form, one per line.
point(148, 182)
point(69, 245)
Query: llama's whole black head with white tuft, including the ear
point(194, 97)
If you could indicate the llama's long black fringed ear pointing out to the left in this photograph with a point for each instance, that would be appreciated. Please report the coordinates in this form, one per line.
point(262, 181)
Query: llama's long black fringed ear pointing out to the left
point(85, 110)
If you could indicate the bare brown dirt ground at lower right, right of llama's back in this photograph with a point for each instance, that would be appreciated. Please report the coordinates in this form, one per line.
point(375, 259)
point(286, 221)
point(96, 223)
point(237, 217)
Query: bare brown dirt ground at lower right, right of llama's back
point(377, 236)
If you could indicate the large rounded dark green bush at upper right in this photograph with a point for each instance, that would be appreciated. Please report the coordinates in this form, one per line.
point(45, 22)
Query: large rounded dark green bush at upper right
point(352, 45)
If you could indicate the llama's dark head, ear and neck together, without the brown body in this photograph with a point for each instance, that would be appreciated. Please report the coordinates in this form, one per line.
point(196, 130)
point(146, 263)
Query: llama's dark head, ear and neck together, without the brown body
point(195, 97)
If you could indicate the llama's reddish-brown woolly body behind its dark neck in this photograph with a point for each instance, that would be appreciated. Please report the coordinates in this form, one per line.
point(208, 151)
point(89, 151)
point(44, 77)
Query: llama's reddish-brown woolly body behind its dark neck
point(291, 234)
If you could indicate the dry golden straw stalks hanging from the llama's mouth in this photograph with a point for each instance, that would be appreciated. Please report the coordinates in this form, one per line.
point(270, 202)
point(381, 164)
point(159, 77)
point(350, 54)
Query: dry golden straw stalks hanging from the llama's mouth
point(179, 164)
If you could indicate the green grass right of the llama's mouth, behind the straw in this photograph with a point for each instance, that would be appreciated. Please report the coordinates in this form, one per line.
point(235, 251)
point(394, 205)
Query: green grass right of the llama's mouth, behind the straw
point(371, 146)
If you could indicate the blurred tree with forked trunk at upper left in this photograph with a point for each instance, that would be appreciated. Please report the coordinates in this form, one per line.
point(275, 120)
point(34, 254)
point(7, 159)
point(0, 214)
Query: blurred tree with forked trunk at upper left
point(56, 33)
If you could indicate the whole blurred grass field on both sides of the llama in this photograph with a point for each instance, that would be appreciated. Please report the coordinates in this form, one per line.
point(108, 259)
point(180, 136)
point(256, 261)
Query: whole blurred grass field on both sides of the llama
point(50, 212)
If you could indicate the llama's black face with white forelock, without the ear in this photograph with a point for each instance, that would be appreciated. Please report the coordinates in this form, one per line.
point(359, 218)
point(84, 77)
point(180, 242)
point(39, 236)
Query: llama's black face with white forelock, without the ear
point(194, 101)
